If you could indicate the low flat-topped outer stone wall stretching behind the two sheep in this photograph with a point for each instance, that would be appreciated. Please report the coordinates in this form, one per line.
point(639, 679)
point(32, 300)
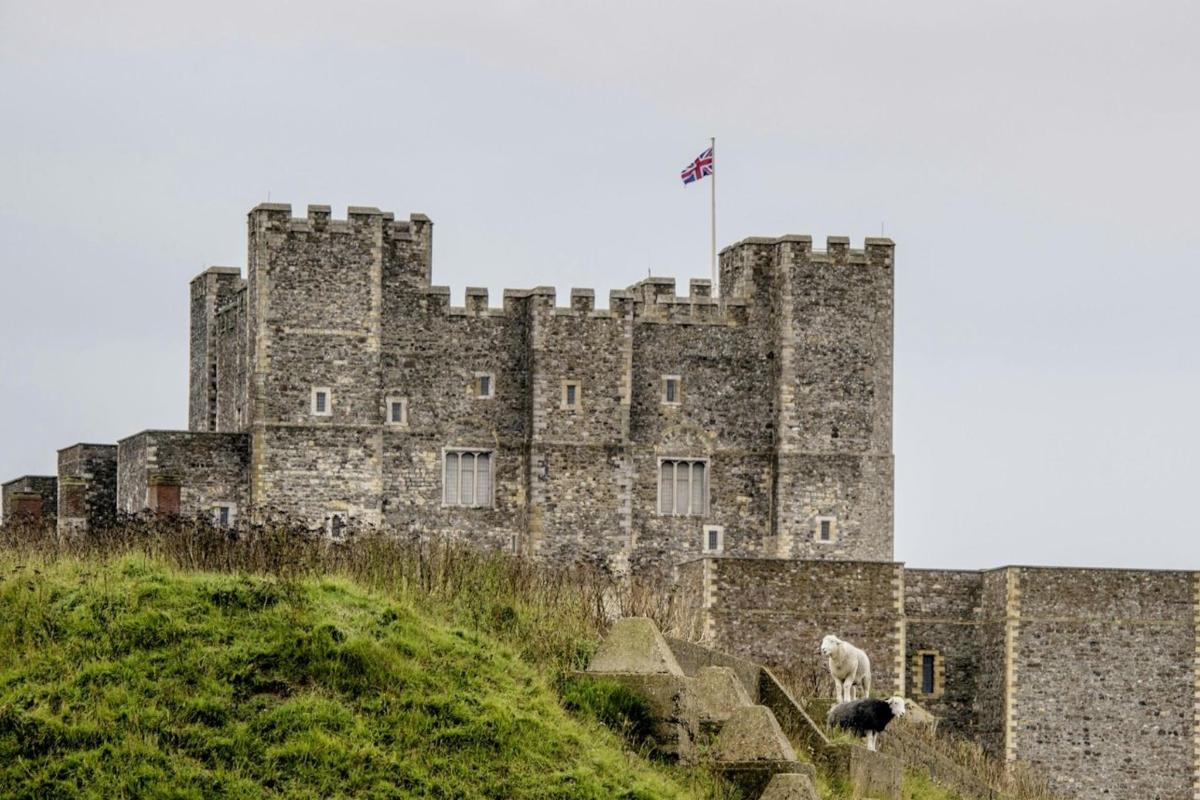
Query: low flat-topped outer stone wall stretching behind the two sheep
point(1090, 676)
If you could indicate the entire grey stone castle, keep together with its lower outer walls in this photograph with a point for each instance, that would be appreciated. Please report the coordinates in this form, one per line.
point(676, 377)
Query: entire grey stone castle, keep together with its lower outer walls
point(740, 444)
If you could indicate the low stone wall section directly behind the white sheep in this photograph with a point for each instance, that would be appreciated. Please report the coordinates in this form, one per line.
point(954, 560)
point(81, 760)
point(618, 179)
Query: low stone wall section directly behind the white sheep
point(778, 611)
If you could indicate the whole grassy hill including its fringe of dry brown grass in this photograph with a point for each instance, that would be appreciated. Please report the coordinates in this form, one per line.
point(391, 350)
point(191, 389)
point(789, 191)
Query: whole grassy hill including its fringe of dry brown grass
point(159, 660)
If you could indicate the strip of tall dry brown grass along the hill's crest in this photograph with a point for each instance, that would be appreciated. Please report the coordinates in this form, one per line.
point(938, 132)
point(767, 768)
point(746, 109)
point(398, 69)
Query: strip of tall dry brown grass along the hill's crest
point(551, 615)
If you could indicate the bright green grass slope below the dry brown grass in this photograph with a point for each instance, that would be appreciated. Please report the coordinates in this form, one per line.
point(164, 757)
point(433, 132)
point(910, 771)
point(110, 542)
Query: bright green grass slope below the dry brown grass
point(124, 678)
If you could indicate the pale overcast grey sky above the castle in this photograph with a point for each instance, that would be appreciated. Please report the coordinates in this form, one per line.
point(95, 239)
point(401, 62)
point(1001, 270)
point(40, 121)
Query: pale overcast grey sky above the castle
point(1035, 161)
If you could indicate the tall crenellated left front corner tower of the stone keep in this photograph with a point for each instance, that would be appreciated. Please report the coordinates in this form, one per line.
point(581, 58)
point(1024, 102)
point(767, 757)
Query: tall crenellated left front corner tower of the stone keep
point(315, 329)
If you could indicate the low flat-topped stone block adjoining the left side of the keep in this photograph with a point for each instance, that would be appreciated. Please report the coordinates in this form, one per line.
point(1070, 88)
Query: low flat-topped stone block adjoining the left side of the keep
point(209, 470)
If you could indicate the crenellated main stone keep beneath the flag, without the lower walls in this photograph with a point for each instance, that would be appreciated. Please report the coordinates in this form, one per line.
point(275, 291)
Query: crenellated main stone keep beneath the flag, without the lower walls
point(778, 422)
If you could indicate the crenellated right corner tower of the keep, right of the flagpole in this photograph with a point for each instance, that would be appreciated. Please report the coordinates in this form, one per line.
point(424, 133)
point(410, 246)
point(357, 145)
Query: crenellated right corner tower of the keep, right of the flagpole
point(830, 318)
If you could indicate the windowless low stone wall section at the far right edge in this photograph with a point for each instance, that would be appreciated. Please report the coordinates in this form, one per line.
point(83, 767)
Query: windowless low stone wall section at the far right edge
point(1106, 684)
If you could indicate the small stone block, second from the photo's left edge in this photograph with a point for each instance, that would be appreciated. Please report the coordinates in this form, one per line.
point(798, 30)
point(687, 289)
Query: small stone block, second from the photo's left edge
point(87, 488)
